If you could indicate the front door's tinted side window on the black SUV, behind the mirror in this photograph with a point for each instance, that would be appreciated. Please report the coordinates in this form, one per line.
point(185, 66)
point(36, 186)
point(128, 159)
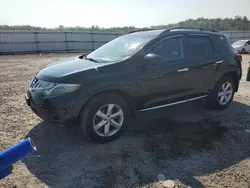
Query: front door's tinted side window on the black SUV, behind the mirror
point(170, 49)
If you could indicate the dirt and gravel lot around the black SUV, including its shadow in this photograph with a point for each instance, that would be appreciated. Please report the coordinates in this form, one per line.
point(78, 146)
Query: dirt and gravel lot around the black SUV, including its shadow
point(190, 144)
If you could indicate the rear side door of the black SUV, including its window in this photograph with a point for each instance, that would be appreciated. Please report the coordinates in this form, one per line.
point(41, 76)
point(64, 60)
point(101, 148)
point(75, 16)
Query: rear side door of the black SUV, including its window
point(202, 61)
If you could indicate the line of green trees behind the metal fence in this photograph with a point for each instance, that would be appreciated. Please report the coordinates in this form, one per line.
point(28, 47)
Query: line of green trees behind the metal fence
point(236, 23)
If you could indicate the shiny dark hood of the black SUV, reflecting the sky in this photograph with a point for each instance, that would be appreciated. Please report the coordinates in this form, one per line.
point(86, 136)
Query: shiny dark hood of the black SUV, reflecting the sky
point(67, 68)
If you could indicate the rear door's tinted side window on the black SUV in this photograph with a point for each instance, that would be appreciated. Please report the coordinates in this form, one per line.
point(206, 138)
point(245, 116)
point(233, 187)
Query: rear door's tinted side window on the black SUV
point(200, 47)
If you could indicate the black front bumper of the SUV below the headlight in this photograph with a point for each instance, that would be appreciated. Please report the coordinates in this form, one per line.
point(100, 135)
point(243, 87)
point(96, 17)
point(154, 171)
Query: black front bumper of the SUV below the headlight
point(61, 109)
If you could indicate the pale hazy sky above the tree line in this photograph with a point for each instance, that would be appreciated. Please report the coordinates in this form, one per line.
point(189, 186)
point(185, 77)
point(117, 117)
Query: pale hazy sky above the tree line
point(115, 13)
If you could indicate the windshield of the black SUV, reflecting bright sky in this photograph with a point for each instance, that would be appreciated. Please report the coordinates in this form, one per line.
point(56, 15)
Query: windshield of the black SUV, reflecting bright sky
point(120, 48)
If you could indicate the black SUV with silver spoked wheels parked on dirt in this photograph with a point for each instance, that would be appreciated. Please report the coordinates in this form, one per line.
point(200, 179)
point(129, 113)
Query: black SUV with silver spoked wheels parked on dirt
point(141, 71)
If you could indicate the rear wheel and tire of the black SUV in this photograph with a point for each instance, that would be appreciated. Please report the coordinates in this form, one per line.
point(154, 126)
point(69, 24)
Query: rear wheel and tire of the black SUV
point(222, 94)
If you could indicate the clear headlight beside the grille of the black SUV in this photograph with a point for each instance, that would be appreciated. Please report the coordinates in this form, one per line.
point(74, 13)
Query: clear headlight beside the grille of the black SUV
point(61, 89)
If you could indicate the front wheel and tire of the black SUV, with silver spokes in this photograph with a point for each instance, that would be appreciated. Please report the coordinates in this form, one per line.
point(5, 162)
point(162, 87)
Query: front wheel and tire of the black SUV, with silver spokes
point(104, 117)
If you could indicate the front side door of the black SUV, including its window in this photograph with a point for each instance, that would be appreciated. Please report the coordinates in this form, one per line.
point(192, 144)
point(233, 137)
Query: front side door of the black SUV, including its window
point(165, 81)
